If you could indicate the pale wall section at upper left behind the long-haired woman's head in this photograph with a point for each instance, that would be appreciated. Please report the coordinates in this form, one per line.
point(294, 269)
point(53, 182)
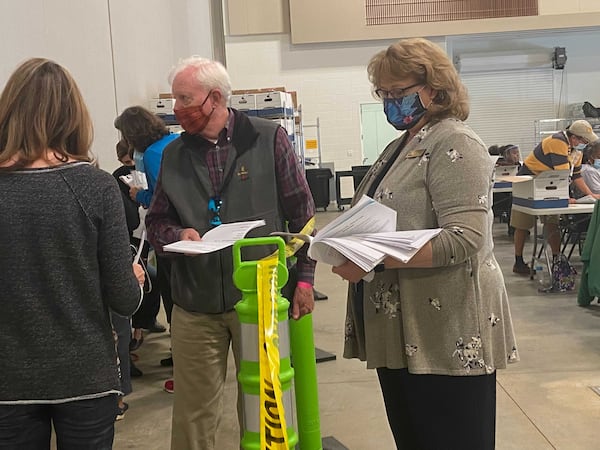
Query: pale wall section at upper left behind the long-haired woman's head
point(76, 35)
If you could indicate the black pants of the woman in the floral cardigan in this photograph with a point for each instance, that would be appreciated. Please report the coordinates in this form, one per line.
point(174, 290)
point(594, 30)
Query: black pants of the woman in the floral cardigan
point(438, 412)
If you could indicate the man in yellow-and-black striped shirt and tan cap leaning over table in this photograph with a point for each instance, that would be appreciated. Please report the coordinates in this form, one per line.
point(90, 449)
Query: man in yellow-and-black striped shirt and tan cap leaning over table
point(560, 151)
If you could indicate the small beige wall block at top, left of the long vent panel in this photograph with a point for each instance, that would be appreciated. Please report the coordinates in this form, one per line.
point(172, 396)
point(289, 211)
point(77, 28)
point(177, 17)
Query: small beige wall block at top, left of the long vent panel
point(257, 17)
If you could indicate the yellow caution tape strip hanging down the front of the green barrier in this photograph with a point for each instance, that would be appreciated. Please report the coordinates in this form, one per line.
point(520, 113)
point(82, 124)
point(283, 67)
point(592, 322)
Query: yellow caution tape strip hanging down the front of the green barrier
point(273, 429)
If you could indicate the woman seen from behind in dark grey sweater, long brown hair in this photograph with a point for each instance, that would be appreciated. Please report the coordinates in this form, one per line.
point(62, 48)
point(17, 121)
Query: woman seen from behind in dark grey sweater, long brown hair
point(65, 259)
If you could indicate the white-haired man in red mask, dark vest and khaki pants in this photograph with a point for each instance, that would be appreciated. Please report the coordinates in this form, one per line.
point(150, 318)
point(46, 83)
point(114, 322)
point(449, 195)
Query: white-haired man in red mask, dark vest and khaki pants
point(225, 167)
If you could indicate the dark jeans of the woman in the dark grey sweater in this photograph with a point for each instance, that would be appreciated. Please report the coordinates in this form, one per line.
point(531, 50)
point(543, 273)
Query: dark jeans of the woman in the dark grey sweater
point(81, 424)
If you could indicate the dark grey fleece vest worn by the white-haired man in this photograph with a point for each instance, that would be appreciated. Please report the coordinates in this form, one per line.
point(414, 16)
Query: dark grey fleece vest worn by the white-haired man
point(204, 283)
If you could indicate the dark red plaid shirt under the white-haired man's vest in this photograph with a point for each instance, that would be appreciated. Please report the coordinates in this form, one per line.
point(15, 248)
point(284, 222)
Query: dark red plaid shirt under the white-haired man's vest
point(294, 194)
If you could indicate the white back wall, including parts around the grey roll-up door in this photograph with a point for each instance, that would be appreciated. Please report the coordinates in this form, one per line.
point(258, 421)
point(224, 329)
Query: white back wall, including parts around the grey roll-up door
point(331, 79)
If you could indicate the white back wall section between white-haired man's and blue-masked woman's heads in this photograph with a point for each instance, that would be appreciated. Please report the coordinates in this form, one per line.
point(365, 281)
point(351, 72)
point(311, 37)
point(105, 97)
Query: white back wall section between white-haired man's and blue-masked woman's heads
point(331, 82)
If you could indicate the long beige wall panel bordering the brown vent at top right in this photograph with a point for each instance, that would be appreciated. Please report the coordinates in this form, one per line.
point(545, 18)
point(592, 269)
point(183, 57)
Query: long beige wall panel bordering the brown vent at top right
point(315, 21)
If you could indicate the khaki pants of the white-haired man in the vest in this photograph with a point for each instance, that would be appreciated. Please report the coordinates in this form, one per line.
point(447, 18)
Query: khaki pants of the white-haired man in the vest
point(200, 344)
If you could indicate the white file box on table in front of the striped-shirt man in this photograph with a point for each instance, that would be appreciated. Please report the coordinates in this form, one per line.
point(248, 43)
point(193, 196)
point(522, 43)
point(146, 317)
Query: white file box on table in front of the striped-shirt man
point(549, 189)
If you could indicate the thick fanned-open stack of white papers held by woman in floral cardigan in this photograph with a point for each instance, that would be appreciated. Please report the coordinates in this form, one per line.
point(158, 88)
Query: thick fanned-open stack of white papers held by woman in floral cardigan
point(365, 235)
